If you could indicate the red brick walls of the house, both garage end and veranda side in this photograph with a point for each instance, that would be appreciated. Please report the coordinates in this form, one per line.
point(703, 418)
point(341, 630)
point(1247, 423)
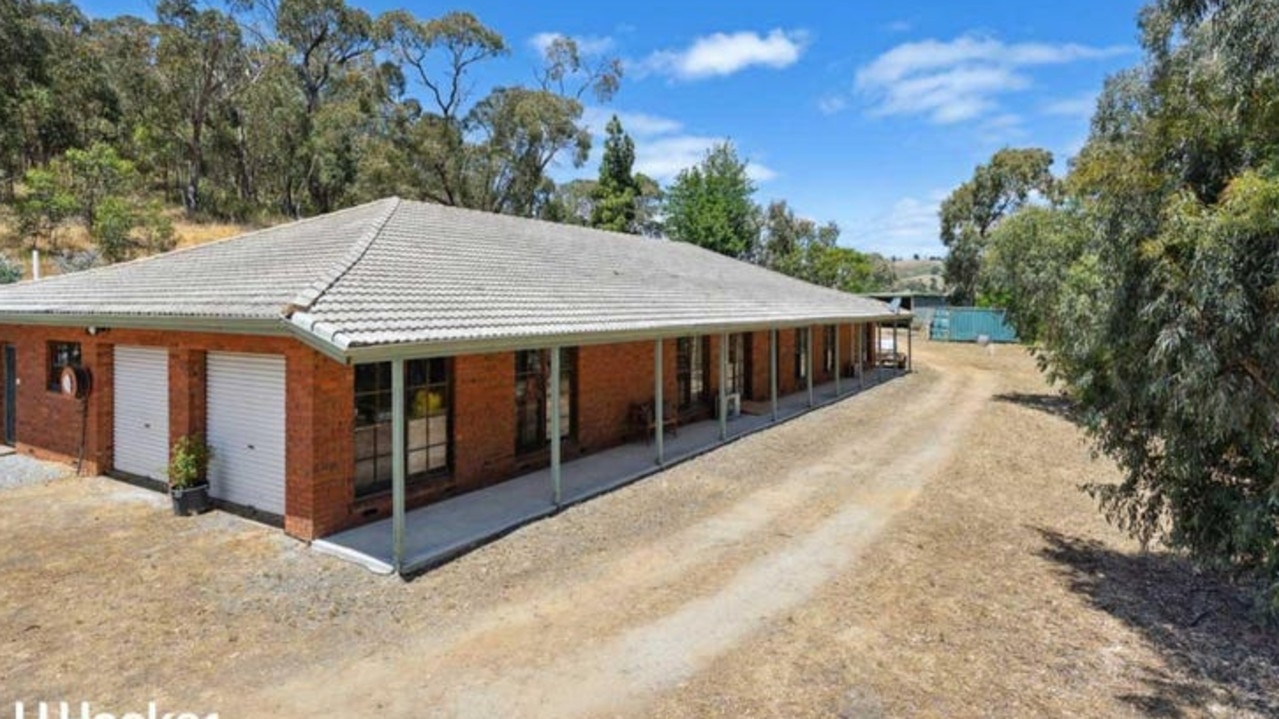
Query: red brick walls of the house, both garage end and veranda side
point(320, 464)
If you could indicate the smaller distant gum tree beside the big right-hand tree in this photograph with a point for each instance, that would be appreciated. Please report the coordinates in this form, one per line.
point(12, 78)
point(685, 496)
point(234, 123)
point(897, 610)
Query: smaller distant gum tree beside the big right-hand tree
point(973, 212)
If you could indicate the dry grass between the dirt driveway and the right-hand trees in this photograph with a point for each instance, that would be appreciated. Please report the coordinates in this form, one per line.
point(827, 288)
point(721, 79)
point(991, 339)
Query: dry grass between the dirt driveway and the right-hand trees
point(1003, 593)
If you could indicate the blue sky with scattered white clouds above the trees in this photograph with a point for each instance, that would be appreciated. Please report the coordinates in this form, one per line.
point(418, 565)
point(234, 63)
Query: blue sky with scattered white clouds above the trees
point(867, 115)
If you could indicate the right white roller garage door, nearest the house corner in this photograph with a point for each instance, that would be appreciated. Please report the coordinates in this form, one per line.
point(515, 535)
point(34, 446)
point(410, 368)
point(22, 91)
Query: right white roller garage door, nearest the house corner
point(246, 429)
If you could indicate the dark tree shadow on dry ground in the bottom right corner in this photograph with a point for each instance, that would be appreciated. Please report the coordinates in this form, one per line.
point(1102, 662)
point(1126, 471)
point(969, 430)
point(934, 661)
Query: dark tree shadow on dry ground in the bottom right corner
point(1218, 656)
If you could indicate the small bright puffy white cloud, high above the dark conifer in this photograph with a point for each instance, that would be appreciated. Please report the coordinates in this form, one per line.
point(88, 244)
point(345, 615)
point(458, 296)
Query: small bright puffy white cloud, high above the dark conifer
point(723, 54)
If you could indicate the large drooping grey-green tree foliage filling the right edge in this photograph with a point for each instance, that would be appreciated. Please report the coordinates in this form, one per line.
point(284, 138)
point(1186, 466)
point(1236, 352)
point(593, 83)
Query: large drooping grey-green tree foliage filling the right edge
point(1154, 288)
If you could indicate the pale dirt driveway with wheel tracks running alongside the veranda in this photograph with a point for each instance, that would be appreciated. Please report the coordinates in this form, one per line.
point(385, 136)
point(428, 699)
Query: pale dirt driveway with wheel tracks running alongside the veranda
point(664, 610)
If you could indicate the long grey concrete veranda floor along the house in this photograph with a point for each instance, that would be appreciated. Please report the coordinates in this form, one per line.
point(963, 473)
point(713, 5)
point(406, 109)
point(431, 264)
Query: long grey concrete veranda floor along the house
point(446, 530)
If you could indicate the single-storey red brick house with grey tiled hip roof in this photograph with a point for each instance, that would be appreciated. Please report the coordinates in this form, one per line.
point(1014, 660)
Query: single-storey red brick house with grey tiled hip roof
point(302, 351)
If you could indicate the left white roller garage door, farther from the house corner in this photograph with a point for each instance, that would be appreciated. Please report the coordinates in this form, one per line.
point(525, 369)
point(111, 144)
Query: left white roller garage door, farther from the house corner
point(141, 406)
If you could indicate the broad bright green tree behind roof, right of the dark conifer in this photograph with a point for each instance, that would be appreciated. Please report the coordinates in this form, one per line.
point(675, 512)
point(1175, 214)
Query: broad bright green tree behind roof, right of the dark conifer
point(710, 205)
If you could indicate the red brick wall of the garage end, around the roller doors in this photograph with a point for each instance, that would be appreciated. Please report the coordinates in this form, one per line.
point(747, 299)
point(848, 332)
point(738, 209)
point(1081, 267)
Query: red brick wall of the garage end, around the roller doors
point(319, 437)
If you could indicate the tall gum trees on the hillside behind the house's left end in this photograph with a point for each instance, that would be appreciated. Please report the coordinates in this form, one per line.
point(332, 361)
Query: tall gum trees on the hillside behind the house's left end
point(287, 107)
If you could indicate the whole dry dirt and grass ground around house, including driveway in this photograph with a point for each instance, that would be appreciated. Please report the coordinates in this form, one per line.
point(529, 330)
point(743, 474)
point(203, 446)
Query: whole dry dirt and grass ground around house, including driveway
point(920, 549)
